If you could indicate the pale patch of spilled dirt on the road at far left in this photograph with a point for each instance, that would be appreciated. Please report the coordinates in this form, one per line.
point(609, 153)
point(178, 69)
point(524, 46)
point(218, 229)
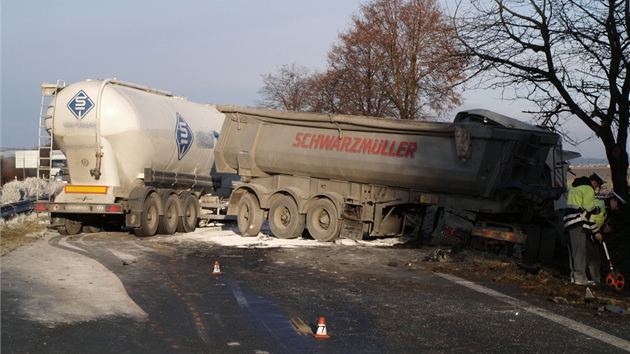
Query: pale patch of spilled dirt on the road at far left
point(60, 287)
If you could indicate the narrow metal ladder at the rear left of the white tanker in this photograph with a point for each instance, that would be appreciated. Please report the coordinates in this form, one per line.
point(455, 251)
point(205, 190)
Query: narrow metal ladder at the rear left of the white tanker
point(45, 144)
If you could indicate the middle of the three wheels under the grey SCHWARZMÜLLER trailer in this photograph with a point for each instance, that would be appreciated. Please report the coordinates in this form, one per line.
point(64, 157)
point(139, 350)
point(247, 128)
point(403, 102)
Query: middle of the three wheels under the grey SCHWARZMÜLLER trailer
point(284, 219)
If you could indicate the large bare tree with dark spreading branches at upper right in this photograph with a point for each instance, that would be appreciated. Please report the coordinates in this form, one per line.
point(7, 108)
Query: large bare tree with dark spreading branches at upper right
point(569, 57)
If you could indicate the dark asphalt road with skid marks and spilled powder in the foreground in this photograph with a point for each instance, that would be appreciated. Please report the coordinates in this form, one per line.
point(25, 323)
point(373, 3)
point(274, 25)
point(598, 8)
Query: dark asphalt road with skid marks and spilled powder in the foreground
point(115, 293)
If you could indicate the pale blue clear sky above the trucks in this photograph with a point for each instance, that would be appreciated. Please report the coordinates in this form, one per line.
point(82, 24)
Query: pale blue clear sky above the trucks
point(210, 51)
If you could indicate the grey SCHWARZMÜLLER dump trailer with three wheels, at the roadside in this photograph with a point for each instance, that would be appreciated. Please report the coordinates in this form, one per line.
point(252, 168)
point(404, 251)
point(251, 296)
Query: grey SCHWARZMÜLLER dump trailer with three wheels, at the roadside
point(352, 176)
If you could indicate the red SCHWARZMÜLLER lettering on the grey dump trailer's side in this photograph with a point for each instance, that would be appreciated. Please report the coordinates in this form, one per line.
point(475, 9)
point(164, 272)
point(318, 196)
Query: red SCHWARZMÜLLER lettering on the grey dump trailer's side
point(356, 145)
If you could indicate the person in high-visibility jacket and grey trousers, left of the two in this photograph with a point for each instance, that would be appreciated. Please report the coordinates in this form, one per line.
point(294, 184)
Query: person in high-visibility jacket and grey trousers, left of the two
point(577, 223)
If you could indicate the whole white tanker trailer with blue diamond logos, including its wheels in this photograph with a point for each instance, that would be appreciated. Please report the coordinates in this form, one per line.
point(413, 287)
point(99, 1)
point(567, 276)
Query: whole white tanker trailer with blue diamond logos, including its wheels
point(137, 157)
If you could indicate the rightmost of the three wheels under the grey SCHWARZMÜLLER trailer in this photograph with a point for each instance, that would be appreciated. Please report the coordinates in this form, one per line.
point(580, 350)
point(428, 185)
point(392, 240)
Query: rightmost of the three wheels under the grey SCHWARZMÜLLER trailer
point(322, 222)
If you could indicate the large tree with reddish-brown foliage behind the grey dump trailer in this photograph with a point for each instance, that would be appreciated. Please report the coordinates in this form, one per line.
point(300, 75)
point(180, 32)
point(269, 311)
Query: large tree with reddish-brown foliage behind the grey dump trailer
point(396, 60)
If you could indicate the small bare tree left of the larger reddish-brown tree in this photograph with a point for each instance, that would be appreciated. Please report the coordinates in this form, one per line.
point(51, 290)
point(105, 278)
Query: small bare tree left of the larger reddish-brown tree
point(288, 88)
